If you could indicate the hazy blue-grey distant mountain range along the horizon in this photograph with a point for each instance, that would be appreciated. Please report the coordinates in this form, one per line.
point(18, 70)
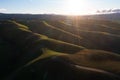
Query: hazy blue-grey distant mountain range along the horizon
point(109, 16)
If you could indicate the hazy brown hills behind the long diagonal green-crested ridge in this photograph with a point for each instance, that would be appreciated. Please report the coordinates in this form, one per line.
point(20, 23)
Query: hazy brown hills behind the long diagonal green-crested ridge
point(95, 36)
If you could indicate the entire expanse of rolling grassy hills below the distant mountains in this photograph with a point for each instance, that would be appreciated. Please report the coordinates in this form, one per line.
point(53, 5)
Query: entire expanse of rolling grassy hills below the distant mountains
point(55, 49)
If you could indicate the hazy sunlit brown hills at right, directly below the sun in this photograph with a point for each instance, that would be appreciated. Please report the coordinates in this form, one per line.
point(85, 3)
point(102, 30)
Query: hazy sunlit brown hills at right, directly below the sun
point(95, 34)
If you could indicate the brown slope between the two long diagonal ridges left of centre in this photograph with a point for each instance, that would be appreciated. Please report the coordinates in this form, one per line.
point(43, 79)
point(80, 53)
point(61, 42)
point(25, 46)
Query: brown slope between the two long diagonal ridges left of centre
point(45, 28)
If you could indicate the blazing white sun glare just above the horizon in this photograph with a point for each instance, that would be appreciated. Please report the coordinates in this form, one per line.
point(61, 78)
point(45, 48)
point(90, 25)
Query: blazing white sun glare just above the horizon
point(76, 7)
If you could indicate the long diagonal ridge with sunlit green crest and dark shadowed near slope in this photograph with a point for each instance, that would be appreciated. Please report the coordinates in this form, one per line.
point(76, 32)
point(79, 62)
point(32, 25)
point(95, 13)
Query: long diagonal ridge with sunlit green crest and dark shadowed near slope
point(32, 43)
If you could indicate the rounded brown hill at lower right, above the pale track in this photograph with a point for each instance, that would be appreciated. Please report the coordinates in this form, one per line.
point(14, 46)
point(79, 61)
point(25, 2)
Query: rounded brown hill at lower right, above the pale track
point(99, 59)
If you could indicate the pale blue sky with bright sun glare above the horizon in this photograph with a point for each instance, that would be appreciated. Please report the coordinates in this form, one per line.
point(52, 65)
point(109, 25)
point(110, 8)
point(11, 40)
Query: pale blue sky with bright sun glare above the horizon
point(70, 7)
